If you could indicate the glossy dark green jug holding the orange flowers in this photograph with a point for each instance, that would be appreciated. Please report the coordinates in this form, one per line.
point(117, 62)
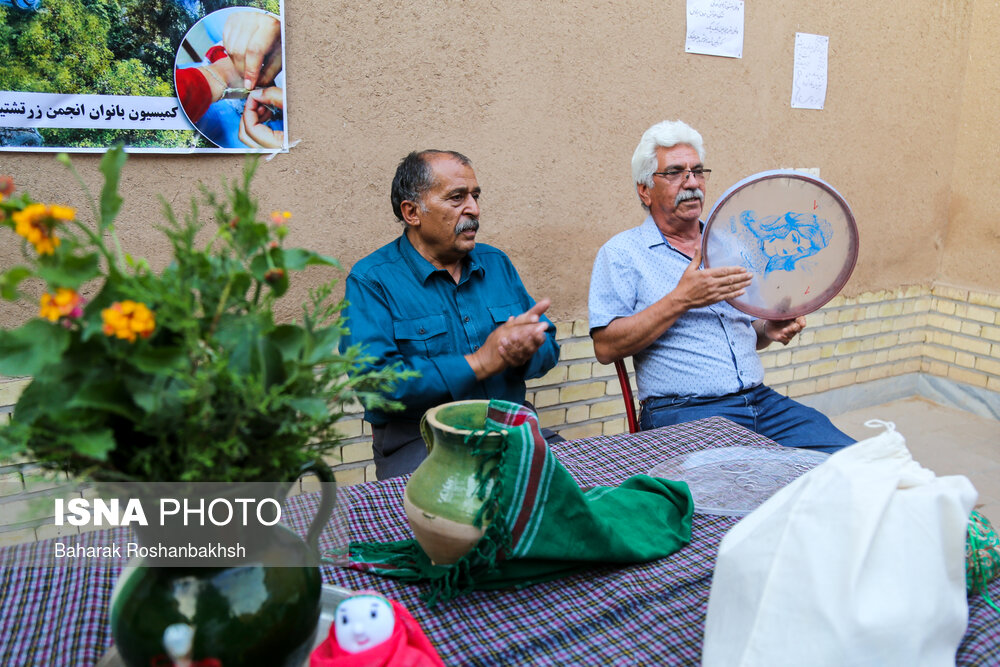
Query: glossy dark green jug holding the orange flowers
point(241, 616)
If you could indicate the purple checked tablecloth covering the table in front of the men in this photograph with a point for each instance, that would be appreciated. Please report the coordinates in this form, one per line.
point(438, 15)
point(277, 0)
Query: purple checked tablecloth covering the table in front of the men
point(650, 614)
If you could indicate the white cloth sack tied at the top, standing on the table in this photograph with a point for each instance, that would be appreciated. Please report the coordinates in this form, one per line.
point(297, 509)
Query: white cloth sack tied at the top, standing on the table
point(861, 561)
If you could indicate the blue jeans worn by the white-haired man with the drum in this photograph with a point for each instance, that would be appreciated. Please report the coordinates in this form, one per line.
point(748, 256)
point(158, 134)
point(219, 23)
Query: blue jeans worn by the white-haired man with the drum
point(759, 409)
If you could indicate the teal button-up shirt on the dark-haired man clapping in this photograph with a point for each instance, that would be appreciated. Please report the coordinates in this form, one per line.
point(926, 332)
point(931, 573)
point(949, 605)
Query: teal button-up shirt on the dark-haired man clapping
point(402, 309)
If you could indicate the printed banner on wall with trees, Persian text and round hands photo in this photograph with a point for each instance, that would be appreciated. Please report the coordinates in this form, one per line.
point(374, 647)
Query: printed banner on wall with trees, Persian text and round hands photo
point(159, 76)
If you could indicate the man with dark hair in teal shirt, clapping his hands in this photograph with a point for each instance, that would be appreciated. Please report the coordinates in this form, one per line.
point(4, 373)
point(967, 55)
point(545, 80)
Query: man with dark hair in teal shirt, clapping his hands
point(435, 302)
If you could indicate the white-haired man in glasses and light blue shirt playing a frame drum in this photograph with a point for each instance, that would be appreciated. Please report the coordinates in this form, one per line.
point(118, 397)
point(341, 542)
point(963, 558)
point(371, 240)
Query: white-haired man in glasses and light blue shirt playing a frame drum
point(650, 298)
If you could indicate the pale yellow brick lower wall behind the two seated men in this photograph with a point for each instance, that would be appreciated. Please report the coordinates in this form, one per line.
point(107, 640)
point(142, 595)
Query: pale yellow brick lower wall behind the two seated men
point(941, 331)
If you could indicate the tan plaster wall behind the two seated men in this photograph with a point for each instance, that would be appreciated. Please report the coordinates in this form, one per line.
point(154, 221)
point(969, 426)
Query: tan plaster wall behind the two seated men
point(549, 100)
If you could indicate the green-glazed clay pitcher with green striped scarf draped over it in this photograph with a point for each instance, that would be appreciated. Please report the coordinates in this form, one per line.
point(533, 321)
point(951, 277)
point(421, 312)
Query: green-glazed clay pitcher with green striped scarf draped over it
point(441, 499)
